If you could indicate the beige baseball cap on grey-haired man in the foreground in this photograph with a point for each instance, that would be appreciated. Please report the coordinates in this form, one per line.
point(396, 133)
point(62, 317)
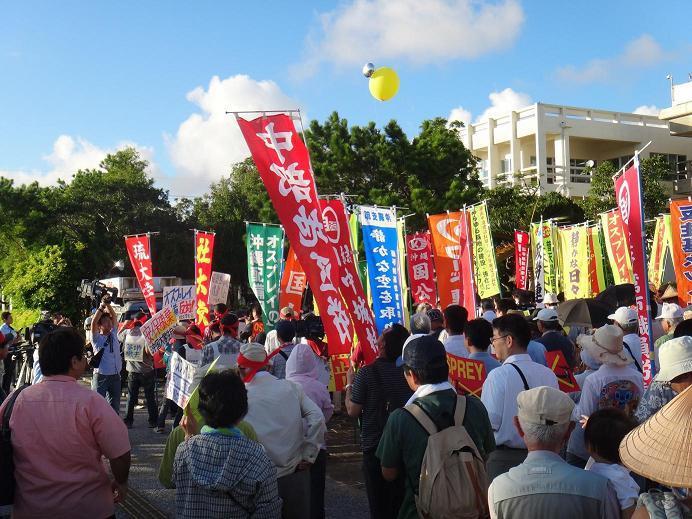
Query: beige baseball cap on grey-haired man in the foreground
point(544, 406)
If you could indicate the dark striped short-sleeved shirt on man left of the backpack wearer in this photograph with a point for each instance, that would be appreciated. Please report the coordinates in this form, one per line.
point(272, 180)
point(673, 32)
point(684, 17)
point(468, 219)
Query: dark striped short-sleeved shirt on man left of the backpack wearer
point(368, 392)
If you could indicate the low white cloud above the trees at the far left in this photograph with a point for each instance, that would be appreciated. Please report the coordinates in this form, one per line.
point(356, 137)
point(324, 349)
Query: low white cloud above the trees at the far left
point(71, 154)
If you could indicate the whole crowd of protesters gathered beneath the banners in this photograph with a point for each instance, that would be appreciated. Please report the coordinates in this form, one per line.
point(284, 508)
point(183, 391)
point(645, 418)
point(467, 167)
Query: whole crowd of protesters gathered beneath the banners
point(252, 441)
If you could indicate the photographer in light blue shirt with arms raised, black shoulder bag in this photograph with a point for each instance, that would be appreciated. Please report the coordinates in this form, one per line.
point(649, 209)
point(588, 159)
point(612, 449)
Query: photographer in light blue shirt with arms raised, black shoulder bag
point(107, 359)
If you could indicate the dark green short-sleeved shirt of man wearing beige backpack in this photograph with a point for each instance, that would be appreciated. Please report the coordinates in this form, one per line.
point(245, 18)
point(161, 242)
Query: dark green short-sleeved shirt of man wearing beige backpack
point(404, 440)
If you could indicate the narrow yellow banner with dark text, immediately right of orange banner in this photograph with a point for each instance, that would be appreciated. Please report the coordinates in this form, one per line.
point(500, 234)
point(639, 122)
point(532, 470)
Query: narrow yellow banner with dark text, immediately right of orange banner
point(485, 266)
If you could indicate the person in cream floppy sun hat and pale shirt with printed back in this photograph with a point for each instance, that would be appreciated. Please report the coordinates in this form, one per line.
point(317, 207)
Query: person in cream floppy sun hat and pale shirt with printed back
point(615, 384)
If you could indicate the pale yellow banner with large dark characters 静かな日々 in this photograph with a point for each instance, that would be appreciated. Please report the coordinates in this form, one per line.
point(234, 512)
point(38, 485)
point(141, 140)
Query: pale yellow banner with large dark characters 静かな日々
point(574, 247)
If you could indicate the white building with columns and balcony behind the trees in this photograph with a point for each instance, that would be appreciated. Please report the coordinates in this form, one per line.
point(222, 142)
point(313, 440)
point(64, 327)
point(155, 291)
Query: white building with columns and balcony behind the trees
point(550, 146)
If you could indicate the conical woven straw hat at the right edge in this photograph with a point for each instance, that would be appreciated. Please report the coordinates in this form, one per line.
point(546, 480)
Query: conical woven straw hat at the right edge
point(661, 448)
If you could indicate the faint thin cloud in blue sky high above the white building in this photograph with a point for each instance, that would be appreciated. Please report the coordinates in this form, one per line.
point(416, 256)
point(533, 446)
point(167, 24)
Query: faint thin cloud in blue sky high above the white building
point(640, 53)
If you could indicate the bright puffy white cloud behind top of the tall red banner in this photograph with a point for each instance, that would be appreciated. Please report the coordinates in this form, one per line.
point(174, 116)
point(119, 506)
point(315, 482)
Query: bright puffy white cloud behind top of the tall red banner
point(208, 142)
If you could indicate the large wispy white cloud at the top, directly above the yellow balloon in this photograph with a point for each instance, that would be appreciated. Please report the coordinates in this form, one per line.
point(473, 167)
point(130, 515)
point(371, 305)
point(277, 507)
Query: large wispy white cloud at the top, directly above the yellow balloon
point(417, 31)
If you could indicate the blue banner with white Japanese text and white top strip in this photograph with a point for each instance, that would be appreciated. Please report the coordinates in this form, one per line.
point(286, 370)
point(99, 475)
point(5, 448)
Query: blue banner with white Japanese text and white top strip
point(380, 242)
